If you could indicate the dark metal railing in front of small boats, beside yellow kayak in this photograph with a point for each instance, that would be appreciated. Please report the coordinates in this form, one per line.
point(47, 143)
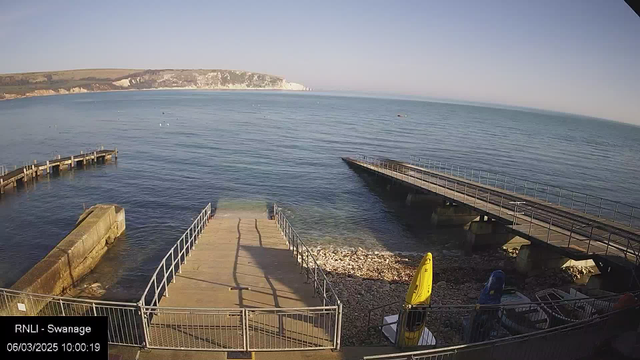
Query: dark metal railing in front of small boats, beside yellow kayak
point(451, 325)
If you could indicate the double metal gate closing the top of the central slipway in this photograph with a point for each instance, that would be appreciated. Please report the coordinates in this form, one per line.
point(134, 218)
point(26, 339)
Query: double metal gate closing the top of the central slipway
point(244, 329)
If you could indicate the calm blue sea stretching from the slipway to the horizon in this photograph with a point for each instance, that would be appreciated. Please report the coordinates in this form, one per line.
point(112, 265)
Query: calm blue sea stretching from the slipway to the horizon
point(246, 149)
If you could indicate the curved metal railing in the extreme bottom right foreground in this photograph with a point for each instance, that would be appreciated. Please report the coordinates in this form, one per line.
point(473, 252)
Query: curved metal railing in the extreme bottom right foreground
point(571, 341)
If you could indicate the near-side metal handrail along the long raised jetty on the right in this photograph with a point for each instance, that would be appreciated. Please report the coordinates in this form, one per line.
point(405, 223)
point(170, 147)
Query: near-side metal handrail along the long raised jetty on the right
point(521, 215)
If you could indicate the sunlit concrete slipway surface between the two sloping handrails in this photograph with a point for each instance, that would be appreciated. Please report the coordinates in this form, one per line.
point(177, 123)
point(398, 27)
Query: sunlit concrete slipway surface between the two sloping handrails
point(240, 263)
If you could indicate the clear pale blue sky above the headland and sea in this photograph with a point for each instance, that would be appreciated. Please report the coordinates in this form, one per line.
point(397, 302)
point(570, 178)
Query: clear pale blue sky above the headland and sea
point(578, 56)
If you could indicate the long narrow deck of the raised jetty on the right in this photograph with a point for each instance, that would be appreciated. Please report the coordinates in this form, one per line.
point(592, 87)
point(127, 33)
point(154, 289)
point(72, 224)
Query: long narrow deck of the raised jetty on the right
point(576, 234)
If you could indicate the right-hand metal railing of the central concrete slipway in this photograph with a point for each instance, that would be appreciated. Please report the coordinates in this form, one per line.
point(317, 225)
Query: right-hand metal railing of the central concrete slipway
point(313, 271)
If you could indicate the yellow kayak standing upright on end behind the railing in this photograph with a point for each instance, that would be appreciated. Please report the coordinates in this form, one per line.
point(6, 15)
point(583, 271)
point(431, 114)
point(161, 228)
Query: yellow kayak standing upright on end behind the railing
point(419, 293)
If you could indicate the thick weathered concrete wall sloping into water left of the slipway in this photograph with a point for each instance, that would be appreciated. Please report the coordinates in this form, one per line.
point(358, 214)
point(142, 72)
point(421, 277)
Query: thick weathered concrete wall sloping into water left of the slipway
point(77, 253)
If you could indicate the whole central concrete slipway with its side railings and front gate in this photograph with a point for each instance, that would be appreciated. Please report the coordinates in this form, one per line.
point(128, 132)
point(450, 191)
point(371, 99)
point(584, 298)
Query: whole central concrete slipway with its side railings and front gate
point(232, 284)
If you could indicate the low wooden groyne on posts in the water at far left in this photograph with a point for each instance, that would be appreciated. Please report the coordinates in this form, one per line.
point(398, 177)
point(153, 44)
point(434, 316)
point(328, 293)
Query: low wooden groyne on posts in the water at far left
point(11, 179)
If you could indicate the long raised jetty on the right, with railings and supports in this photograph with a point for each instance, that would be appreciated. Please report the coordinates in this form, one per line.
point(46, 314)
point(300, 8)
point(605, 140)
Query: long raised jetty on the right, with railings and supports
point(585, 229)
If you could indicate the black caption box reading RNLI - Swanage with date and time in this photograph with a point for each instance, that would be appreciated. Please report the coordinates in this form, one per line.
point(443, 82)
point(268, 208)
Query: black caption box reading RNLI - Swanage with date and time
point(53, 337)
